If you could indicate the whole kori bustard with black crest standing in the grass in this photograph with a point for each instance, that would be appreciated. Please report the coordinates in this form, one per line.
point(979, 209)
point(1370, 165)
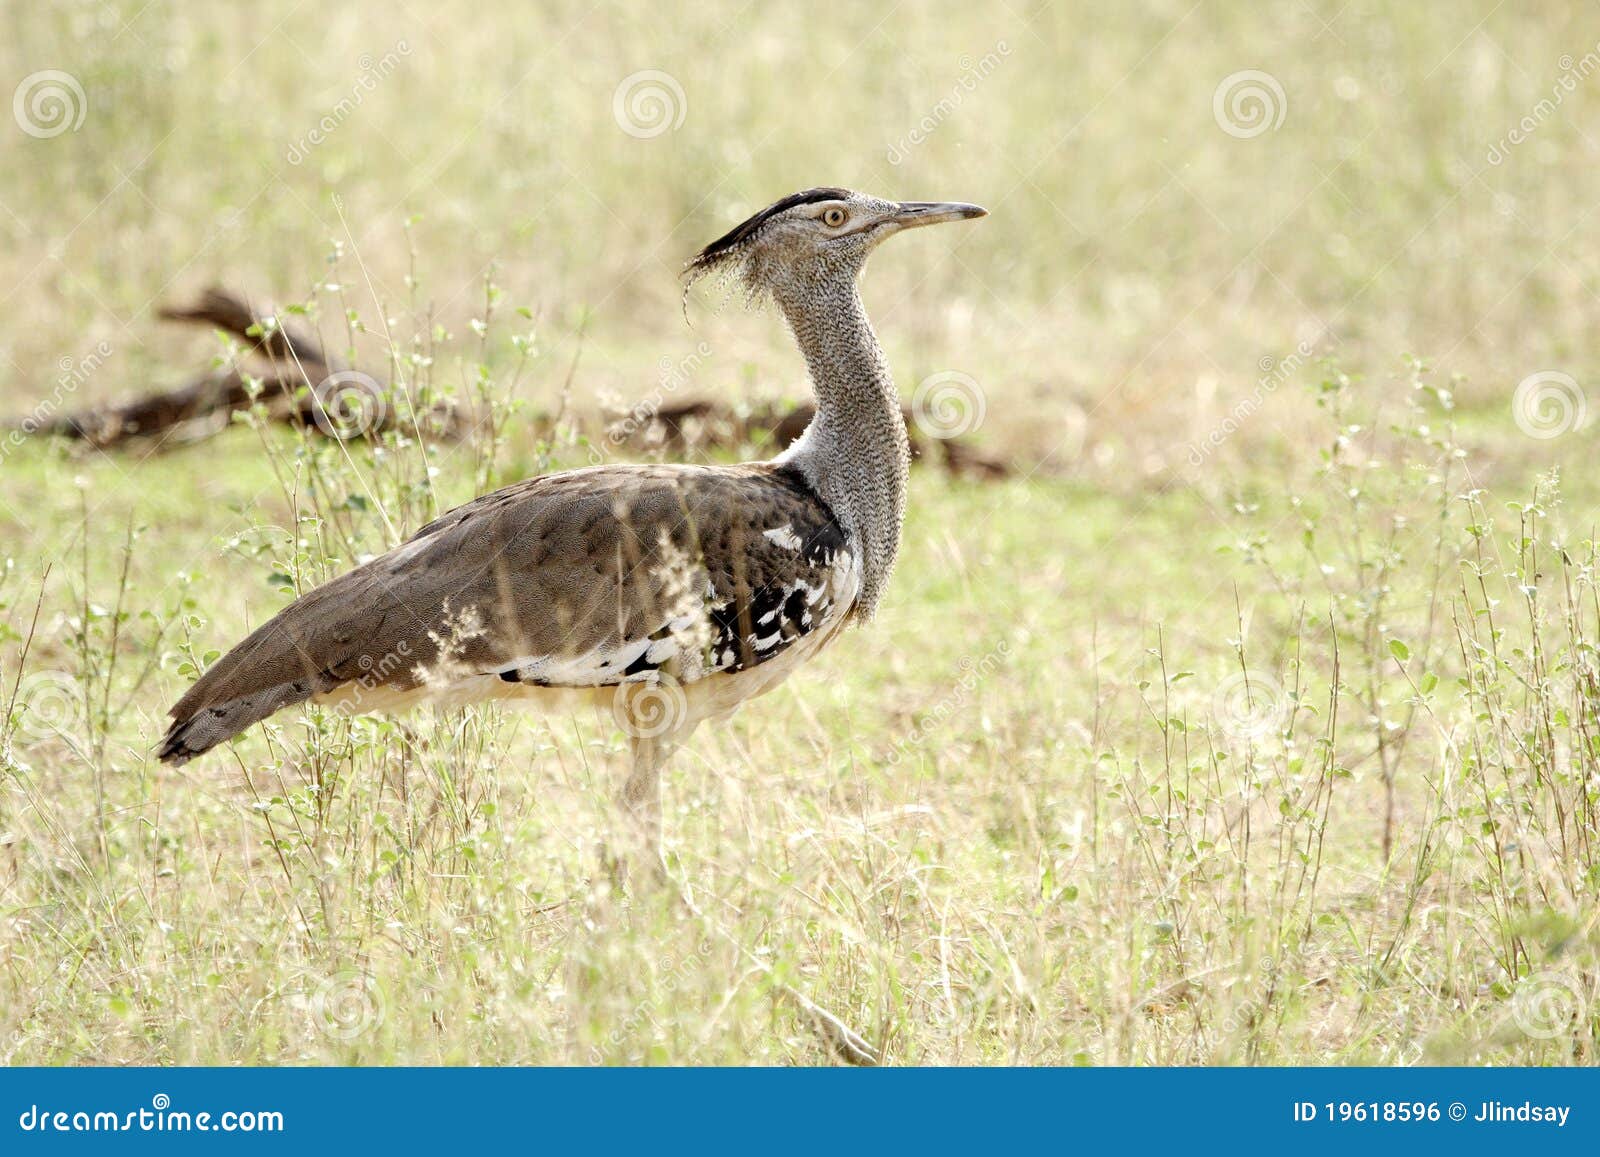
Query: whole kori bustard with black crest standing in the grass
point(670, 595)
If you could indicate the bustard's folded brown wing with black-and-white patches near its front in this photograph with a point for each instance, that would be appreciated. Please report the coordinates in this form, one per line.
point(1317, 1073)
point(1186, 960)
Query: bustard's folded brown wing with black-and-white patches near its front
point(572, 580)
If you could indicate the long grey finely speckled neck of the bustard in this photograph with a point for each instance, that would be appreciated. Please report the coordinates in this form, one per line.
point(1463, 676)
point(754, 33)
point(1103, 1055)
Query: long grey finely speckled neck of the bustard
point(855, 454)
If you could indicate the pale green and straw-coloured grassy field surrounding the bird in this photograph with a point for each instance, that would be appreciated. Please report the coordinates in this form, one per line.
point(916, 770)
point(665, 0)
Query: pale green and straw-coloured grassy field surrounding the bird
point(1254, 719)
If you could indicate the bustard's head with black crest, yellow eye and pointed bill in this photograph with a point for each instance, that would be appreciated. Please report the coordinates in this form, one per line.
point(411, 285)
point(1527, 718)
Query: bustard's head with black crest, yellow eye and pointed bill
point(814, 238)
